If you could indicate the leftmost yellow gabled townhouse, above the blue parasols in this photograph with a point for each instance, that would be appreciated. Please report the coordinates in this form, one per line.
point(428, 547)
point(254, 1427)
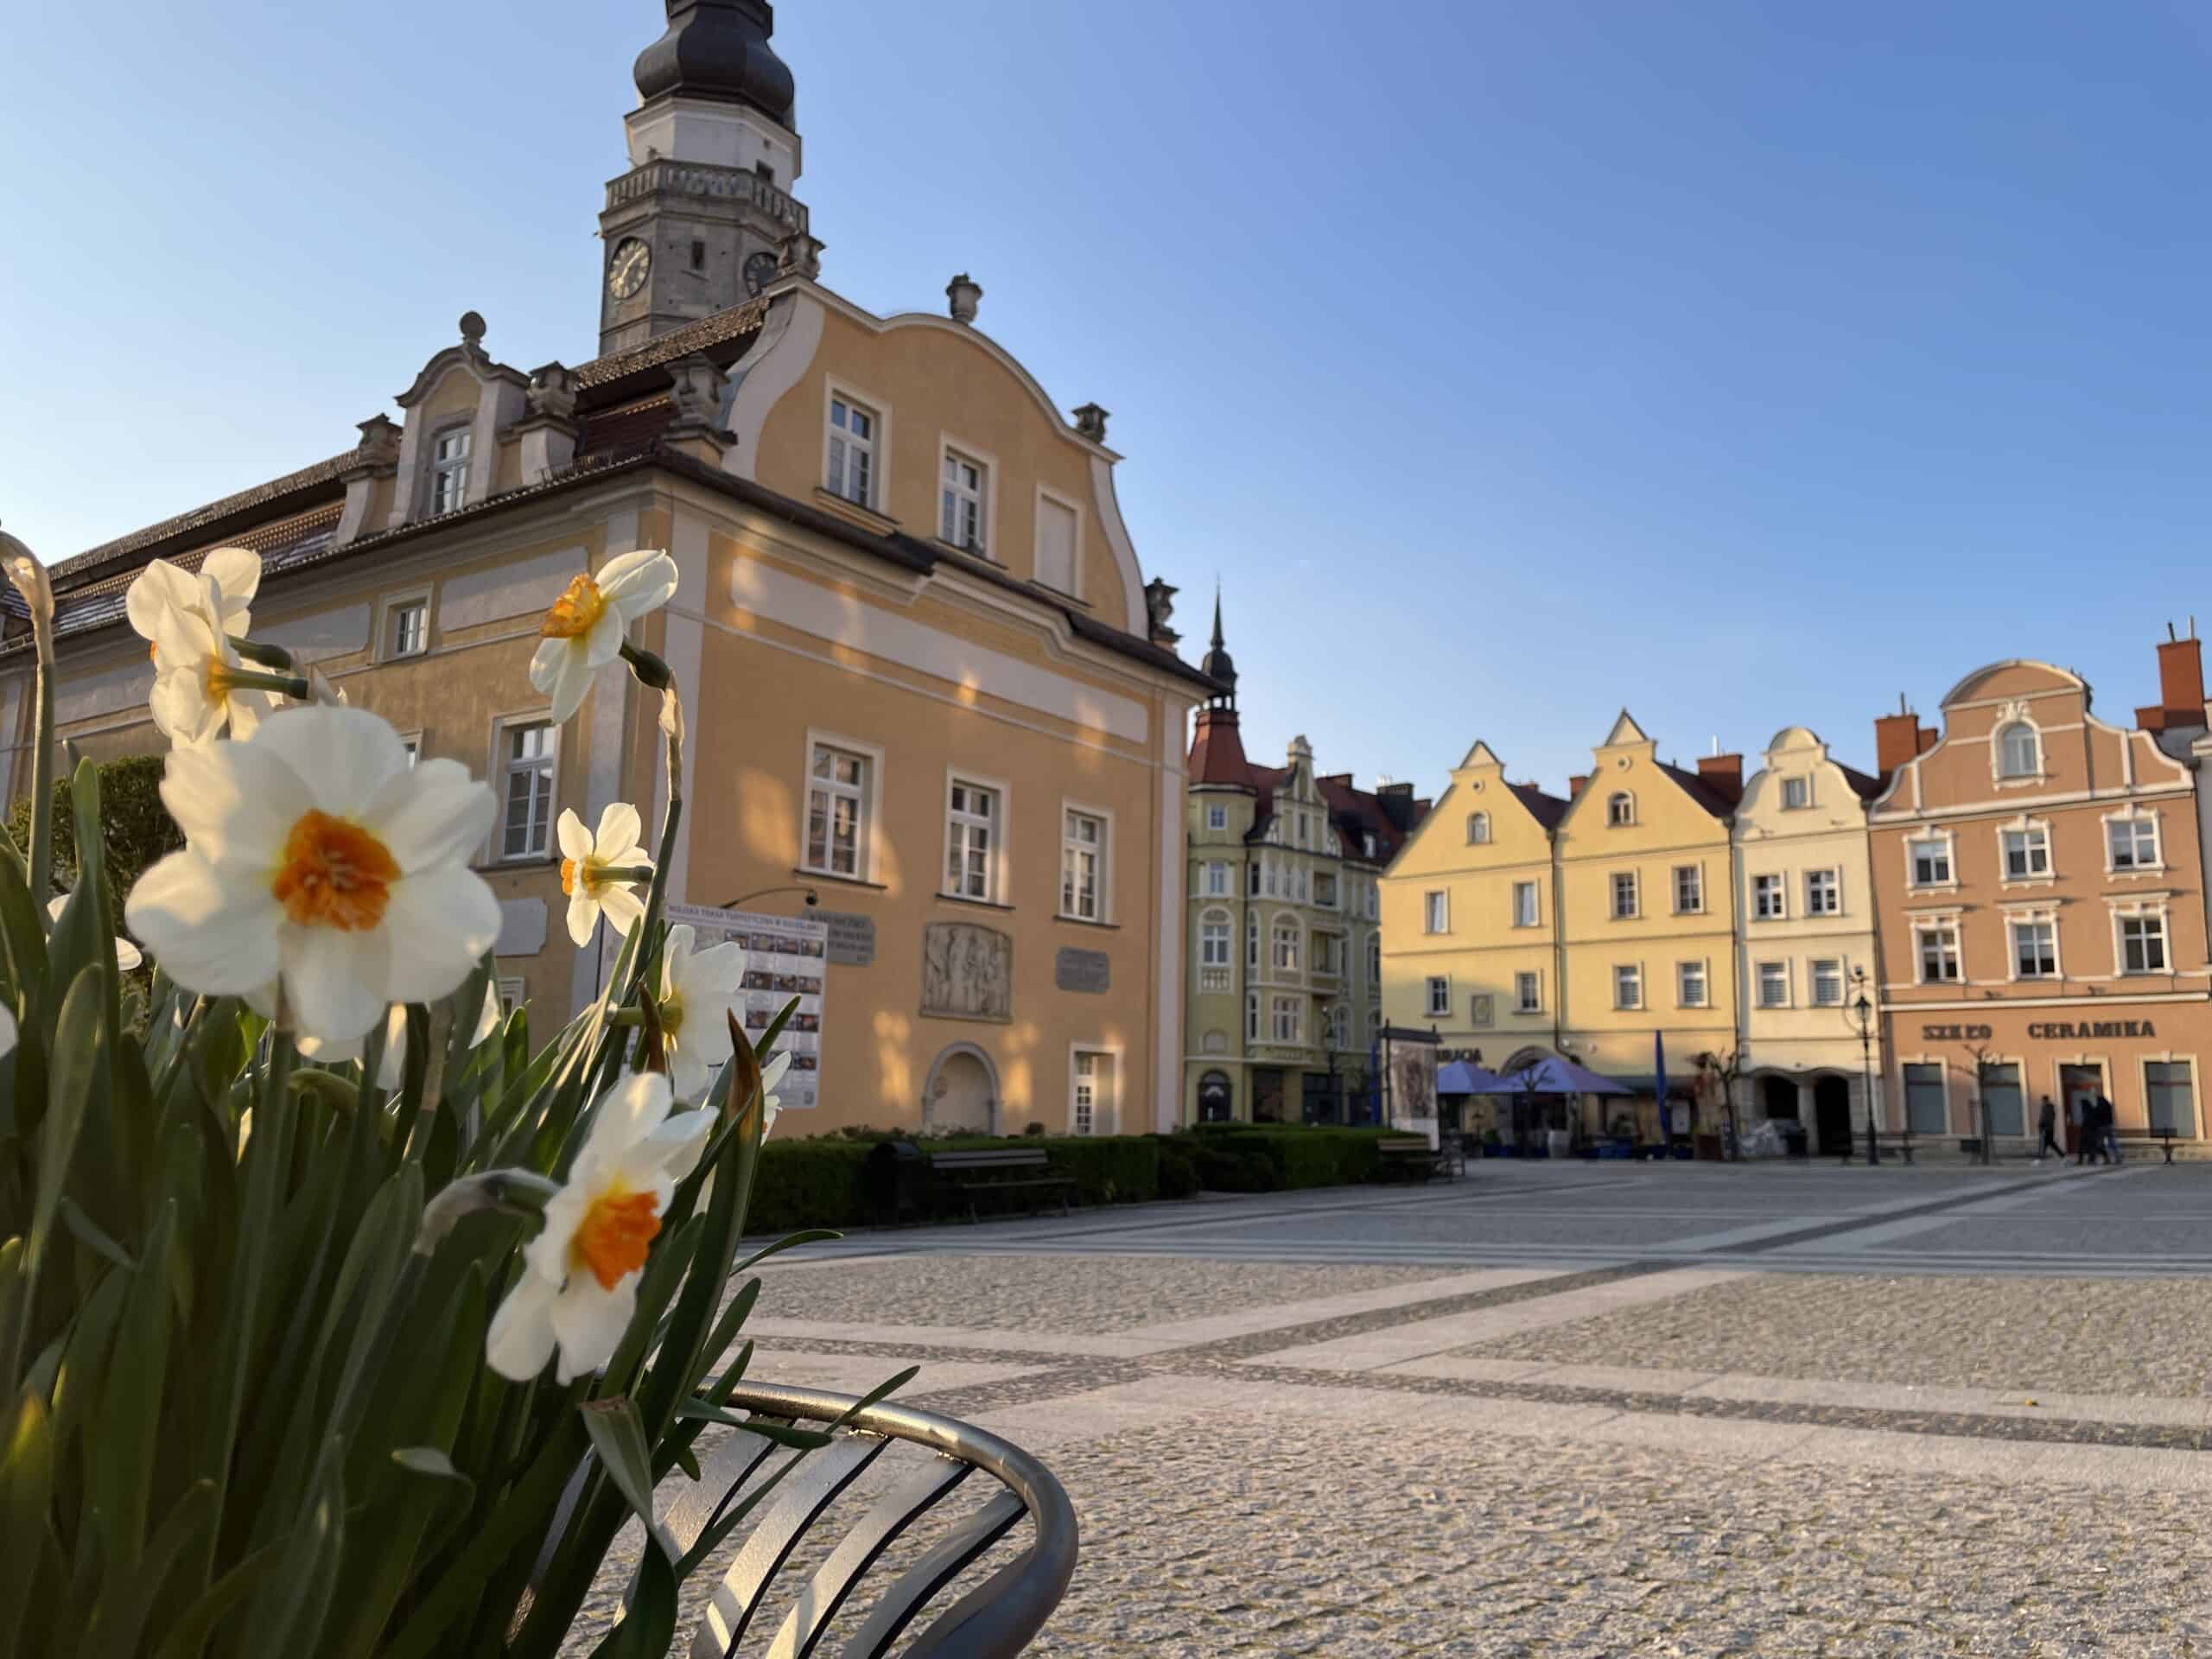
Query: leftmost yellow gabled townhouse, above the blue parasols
point(1470, 917)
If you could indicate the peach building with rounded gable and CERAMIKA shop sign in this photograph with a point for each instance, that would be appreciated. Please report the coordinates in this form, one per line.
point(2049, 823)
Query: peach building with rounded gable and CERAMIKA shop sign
point(2041, 899)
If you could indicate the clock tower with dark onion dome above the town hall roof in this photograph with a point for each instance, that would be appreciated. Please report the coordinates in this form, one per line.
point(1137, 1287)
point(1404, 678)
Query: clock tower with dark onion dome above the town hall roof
point(698, 222)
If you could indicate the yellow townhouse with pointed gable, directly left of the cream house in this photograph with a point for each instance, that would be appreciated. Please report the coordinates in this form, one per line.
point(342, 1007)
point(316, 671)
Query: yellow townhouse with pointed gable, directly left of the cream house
point(1647, 912)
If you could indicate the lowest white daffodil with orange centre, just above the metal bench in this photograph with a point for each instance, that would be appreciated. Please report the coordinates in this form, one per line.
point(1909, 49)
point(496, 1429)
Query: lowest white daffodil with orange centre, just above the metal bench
point(581, 1273)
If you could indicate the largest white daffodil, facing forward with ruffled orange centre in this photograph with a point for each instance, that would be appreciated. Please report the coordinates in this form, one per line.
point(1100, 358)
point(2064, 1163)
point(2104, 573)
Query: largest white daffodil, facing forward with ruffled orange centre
point(317, 857)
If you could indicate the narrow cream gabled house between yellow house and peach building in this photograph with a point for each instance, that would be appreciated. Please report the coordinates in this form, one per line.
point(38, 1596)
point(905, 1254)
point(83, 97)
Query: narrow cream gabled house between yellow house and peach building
point(1806, 897)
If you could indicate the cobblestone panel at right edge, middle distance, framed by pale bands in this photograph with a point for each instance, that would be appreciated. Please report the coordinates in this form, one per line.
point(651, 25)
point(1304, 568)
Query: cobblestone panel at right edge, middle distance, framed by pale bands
point(2083, 1335)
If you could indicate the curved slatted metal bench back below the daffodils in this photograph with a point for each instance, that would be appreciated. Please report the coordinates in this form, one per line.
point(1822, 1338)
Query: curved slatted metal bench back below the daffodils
point(992, 1623)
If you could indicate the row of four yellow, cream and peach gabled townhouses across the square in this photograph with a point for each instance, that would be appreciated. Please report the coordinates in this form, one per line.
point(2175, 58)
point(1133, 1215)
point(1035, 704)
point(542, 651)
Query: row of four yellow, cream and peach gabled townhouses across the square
point(2010, 908)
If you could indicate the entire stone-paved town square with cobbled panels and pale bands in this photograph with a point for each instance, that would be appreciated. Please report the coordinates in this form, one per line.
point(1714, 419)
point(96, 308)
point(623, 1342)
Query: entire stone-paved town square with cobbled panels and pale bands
point(1567, 1410)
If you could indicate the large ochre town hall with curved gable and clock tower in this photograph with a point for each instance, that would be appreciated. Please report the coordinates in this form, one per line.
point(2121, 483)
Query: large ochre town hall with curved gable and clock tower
point(930, 691)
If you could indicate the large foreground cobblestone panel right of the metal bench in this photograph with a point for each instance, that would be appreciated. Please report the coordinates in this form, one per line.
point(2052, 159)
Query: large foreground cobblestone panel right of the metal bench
point(1302, 1538)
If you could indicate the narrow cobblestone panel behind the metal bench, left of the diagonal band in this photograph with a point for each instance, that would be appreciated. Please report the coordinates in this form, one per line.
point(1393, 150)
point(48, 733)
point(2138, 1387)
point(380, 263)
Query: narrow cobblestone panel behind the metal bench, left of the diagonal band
point(1041, 1295)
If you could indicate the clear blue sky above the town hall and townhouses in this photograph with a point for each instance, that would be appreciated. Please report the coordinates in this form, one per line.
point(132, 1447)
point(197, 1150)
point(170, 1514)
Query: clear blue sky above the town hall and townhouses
point(1742, 364)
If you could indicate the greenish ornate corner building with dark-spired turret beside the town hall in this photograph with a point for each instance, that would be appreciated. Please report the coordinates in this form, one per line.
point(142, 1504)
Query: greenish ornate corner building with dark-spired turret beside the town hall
point(1284, 941)
